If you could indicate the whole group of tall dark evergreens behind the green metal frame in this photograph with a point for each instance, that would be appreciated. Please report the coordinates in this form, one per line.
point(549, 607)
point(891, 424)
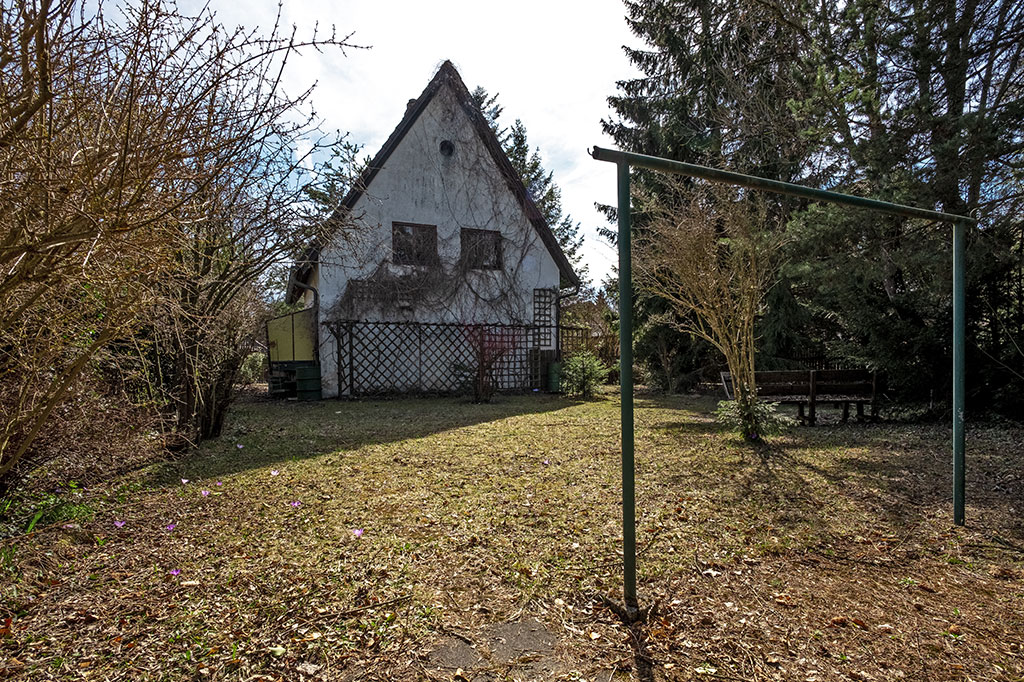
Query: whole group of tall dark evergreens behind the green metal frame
point(916, 102)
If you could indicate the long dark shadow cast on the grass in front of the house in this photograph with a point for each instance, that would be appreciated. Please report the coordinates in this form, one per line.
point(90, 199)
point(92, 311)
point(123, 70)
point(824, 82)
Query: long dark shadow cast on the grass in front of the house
point(264, 434)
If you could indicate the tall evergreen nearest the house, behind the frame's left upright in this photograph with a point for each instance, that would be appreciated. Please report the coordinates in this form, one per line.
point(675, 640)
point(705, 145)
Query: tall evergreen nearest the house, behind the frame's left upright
point(715, 81)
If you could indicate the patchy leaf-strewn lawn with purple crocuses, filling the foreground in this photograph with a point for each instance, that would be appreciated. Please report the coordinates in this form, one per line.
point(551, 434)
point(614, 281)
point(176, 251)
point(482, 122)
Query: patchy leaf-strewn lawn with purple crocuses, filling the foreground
point(440, 540)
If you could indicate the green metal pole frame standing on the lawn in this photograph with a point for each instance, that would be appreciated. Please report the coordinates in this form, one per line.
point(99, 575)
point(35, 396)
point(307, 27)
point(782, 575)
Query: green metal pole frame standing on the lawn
point(626, 160)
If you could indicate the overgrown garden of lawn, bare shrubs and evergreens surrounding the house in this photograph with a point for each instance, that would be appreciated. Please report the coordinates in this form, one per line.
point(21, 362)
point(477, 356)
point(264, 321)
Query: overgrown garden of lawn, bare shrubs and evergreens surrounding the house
point(154, 196)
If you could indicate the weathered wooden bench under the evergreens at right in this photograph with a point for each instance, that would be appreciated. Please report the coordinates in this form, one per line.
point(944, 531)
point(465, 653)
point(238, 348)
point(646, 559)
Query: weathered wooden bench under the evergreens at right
point(812, 388)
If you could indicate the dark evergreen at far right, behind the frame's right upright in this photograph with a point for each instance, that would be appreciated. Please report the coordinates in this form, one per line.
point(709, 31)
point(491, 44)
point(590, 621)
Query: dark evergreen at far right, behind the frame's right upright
point(919, 103)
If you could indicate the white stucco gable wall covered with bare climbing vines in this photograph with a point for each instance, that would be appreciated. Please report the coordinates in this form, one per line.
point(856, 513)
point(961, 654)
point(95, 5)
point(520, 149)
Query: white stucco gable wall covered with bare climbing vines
point(419, 185)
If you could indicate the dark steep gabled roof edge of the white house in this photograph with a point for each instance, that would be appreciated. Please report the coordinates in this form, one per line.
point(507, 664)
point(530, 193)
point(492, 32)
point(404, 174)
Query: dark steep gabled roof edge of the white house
point(447, 75)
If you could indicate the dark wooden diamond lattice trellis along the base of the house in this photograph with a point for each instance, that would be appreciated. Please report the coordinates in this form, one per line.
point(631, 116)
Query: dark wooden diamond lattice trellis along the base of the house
point(391, 358)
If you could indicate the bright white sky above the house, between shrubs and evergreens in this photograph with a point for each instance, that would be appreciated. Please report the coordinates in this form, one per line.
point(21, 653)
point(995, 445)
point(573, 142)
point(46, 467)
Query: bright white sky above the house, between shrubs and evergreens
point(552, 63)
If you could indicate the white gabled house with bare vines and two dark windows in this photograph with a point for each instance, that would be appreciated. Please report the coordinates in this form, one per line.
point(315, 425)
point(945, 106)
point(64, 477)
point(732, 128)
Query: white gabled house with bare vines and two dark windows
point(444, 270)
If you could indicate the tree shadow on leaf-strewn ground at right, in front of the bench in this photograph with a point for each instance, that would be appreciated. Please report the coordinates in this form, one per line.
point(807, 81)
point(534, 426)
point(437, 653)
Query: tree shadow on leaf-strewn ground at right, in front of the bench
point(900, 475)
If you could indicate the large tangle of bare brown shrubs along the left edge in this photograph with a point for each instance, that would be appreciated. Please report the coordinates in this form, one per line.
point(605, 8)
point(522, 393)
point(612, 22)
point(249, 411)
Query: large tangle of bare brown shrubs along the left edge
point(149, 169)
